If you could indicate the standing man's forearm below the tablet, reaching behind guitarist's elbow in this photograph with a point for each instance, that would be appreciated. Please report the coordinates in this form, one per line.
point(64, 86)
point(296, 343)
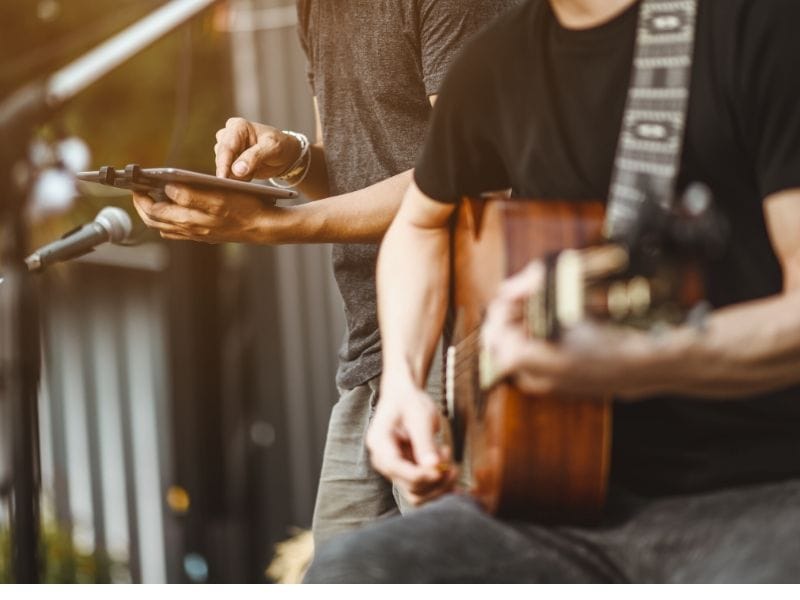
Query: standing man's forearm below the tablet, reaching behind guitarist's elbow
point(362, 216)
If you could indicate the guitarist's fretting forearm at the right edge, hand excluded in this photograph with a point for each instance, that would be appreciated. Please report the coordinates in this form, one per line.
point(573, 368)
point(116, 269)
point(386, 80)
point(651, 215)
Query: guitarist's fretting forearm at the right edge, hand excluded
point(743, 350)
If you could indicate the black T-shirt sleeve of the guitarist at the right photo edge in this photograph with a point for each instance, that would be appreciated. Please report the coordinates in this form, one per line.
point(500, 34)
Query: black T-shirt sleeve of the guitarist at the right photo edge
point(771, 87)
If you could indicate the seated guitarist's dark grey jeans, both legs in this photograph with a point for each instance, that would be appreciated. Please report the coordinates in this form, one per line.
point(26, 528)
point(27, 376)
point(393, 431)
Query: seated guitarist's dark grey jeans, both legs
point(745, 534)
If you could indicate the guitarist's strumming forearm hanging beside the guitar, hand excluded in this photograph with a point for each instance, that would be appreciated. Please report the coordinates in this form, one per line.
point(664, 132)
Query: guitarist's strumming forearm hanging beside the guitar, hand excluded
point(413, 272)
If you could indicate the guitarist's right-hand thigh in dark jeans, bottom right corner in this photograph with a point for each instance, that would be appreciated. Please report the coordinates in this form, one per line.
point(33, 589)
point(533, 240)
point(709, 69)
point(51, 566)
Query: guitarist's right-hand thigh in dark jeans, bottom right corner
point(739, 535)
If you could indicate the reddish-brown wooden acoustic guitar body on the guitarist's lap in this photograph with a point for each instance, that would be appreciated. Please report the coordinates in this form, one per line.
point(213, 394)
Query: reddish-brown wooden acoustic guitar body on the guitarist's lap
point(543, 458)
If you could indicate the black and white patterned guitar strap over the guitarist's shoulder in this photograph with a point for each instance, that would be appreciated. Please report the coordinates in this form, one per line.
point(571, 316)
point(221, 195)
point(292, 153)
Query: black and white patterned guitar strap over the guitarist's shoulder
point(651, 139)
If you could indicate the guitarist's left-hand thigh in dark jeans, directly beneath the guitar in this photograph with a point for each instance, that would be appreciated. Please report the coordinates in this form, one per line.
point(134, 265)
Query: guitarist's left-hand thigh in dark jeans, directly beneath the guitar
point(452, 541)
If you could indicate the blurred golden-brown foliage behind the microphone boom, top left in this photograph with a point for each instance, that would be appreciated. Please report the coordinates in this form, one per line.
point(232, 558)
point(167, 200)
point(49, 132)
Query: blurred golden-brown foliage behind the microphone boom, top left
point(161, 108)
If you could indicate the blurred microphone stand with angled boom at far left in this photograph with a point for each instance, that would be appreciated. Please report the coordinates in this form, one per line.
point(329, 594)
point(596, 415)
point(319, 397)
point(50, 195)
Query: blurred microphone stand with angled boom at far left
point(20, 356)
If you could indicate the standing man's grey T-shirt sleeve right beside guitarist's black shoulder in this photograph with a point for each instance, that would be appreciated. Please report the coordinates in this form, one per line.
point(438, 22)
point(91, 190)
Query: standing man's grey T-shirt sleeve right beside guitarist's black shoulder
point(445, 27)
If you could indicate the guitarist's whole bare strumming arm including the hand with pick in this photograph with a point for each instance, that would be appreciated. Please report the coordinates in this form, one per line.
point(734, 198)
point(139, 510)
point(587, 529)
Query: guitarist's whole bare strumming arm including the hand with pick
point(413, 272)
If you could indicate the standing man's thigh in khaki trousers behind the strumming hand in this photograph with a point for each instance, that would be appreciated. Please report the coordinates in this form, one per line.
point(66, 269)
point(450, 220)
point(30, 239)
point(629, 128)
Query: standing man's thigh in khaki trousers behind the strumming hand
point(351, 493)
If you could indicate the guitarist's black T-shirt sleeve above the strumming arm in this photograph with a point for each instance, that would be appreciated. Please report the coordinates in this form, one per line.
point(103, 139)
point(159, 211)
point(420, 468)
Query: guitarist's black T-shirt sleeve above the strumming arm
point(461, 155)
